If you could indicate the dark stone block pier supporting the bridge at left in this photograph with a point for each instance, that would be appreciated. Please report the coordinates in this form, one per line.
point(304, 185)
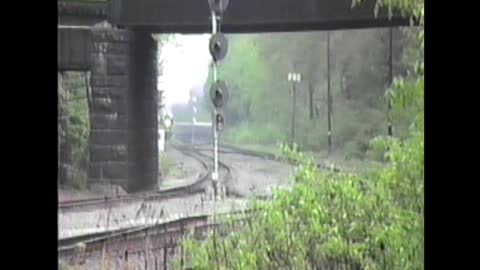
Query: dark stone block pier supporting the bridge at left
point(124, 112)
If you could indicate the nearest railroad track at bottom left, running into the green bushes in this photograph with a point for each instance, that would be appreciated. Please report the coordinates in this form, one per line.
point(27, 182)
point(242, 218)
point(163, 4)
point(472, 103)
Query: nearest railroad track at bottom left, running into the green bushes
point(149, 247)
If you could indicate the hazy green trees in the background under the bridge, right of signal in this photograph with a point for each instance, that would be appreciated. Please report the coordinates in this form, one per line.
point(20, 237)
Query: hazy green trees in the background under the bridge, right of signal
point(259, 109)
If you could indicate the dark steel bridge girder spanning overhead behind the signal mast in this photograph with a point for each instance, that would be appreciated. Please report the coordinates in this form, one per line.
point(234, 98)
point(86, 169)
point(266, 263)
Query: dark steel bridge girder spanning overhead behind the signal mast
point(192, 16)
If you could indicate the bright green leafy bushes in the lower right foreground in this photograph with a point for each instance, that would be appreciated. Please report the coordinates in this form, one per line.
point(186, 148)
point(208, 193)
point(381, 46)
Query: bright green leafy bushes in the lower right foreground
point(374, 221)
